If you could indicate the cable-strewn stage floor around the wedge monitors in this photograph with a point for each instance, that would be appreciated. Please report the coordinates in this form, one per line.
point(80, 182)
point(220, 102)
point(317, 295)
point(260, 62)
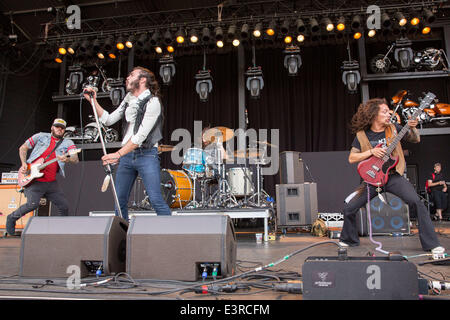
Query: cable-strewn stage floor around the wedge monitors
point(250, 255)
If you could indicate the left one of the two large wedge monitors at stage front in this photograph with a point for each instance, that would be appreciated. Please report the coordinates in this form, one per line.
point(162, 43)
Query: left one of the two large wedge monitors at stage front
point(51, 244)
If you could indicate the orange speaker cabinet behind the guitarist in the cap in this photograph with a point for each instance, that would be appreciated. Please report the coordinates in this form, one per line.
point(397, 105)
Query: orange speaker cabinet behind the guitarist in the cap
point(10, 200)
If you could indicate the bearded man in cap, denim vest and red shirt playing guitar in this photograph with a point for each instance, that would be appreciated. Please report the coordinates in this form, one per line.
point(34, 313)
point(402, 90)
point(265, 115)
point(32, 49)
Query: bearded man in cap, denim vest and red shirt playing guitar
point(47, 146)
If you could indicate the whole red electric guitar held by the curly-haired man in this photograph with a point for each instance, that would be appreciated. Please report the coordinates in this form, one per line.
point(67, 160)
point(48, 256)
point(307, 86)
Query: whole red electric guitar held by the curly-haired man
point(374, 170)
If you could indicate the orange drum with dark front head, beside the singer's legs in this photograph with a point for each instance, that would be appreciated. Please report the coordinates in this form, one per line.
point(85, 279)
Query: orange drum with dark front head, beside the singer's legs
point(176, 188)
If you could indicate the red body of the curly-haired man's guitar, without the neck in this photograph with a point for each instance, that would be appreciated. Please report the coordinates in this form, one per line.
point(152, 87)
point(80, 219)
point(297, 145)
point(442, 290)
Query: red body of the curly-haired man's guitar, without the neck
point(375, 171)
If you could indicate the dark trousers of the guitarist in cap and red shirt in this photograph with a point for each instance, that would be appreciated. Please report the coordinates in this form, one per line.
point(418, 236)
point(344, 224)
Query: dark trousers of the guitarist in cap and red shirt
point(34, 193)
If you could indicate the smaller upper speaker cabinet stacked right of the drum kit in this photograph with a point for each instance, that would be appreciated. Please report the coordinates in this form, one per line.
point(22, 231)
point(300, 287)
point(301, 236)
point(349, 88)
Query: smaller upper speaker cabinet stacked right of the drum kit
point(291, 168)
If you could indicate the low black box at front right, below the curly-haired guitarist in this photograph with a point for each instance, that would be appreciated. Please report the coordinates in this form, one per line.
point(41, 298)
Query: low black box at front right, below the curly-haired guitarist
point(364, 278)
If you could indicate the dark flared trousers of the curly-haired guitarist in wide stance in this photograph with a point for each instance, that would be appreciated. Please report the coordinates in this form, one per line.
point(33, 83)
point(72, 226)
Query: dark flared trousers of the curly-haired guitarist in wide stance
point(404, 190)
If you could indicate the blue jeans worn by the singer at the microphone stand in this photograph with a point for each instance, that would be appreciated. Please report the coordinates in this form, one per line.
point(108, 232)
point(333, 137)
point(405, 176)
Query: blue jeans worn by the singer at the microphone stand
point(144, 162)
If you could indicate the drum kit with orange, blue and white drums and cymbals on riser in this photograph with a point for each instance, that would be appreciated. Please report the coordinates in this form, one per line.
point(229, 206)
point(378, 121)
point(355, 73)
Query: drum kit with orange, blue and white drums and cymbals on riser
point(205, 182)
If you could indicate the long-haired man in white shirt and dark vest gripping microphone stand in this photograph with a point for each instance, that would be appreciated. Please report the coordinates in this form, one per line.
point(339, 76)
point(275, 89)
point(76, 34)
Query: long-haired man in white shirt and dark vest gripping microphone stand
point(143, 113)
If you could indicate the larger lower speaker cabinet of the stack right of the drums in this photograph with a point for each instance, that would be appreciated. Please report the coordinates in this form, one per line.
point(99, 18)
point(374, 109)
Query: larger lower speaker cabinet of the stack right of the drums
point(296, 204)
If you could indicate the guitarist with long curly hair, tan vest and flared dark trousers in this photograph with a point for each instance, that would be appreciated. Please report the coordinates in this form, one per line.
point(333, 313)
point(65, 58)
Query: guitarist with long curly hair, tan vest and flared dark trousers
point(372, 126)
